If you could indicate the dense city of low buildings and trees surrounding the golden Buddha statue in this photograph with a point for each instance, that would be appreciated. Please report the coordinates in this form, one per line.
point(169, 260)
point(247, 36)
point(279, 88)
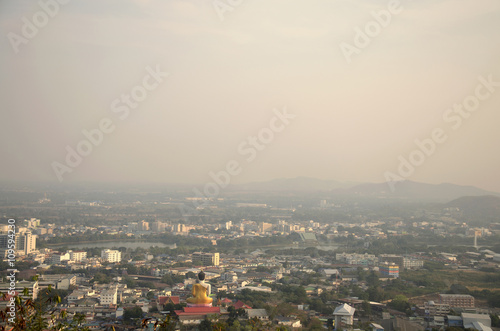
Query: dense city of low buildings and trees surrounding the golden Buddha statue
point(292, 260)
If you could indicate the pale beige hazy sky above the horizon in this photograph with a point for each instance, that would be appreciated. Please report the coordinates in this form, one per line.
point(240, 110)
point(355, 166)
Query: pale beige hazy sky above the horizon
point(230, 70)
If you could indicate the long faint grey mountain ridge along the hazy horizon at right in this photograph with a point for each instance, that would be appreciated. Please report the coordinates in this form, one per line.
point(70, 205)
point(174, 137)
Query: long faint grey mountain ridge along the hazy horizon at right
point(407, 190)
